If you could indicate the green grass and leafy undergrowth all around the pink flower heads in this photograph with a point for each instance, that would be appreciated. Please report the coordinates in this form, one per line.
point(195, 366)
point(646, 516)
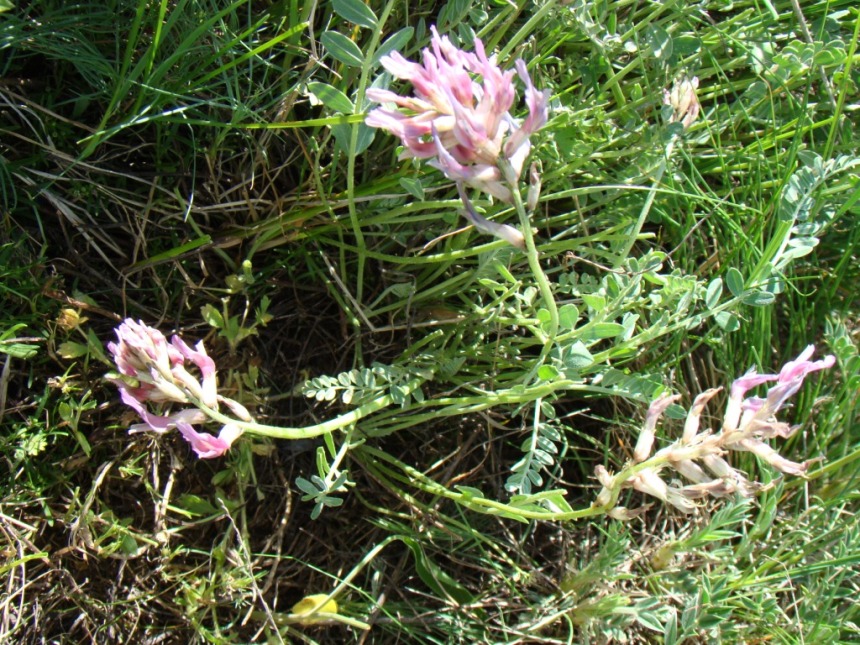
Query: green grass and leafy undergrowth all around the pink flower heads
point(204, 167)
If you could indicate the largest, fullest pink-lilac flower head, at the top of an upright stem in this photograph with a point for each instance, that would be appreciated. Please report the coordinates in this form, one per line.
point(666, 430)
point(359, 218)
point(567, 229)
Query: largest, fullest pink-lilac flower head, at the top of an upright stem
point(462, 124)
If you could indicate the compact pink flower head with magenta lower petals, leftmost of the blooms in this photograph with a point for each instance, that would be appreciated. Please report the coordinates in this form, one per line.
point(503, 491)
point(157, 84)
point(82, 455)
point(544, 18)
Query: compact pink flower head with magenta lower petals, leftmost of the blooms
point(155, 372)
